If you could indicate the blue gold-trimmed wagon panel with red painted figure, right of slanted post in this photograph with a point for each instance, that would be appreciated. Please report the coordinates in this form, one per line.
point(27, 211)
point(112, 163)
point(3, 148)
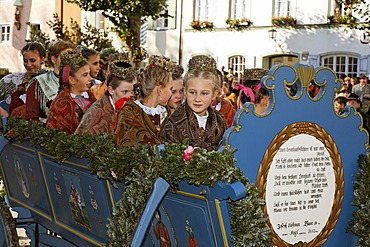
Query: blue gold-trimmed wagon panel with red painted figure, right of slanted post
point(191, 218)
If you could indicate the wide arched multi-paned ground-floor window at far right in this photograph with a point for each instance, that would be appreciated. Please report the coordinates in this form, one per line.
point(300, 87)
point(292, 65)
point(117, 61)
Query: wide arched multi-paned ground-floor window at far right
point(341, 64)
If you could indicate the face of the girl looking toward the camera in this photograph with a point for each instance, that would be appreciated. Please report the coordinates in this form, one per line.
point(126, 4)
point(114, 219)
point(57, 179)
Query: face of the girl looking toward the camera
point(199, 95)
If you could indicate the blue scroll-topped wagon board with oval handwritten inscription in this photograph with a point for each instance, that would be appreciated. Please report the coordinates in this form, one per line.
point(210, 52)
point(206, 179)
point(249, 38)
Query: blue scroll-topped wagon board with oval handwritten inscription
point(258, 140)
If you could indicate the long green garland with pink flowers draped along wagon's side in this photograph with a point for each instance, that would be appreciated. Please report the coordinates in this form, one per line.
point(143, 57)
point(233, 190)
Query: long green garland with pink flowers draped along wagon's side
point(139, 166)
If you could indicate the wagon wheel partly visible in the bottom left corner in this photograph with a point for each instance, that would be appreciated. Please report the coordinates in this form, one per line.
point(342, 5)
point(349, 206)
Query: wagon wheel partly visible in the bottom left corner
point(8, 231)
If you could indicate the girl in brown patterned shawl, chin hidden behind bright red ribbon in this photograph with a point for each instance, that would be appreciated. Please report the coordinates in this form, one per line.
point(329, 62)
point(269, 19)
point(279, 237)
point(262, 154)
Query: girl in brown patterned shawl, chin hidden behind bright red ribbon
point(101, 116)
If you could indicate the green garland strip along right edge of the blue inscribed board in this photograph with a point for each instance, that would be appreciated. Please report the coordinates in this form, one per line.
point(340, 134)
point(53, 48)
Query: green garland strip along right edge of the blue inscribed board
point(360, 225)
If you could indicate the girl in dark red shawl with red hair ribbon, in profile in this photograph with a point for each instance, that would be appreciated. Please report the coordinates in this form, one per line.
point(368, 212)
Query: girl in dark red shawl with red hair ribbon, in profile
point(75, 98)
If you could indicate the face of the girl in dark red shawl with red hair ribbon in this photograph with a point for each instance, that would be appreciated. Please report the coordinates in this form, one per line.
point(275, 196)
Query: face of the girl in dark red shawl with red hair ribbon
point(81, 81)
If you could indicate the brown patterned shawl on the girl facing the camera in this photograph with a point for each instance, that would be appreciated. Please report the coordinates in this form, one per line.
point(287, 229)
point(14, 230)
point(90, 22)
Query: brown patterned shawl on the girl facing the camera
point(183, 124)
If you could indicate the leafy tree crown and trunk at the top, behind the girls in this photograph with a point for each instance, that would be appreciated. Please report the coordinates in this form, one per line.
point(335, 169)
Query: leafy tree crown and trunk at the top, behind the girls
point(127, 17)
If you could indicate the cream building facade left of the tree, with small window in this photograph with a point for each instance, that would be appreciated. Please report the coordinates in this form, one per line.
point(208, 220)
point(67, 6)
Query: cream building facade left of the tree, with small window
point(16, 19)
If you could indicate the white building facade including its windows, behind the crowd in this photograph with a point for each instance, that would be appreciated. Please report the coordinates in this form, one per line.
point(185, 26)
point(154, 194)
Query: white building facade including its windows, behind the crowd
point(316, 38)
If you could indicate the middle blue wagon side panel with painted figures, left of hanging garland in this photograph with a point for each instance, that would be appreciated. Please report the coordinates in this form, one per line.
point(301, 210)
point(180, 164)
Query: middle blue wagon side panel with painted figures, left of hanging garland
point(81, 202)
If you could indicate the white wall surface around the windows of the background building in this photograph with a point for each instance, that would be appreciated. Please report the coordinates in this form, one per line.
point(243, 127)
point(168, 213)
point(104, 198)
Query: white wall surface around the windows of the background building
point(312, 35)
